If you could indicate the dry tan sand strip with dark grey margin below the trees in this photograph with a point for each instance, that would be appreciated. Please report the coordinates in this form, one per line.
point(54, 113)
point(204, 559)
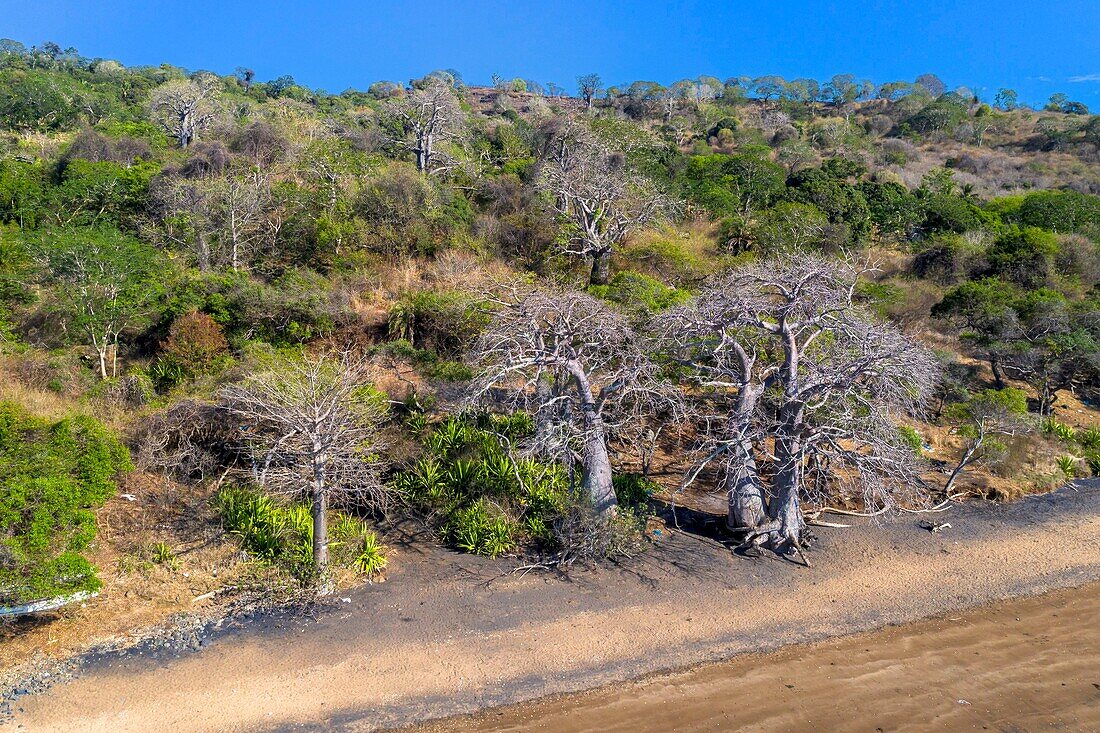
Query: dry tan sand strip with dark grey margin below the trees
point(449, 636)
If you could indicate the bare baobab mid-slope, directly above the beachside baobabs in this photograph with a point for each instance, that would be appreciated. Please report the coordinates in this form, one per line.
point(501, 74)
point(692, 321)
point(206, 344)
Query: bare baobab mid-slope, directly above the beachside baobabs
point(597, 193)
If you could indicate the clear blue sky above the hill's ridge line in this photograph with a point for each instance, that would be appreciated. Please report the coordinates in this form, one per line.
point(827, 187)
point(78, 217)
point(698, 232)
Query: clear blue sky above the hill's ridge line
point(1037, 48)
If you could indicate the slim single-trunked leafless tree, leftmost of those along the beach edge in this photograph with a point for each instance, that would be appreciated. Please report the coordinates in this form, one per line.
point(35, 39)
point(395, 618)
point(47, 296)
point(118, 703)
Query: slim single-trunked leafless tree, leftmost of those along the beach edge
point(311, 429)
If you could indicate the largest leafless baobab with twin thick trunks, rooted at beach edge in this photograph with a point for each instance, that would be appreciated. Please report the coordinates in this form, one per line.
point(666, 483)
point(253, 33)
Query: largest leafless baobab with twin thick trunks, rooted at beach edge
point(802, 392)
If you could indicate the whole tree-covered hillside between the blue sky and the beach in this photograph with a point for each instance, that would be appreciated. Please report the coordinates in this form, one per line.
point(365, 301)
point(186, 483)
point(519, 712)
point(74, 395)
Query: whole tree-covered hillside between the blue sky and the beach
point(520, 316)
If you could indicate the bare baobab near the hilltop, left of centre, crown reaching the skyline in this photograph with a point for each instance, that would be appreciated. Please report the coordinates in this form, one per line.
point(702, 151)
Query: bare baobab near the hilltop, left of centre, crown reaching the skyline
point(425, 119)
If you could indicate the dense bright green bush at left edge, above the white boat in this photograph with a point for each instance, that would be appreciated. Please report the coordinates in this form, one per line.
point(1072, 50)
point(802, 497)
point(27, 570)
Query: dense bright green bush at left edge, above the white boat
point(56, 476)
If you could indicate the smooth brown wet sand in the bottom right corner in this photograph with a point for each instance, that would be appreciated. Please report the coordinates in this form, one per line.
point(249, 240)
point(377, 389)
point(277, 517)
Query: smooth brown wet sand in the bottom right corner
point(1026, 665)
